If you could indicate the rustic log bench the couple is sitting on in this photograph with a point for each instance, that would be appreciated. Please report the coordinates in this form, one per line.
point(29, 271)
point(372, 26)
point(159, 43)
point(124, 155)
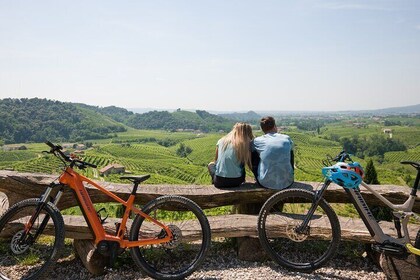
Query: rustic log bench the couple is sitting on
point(248, 199)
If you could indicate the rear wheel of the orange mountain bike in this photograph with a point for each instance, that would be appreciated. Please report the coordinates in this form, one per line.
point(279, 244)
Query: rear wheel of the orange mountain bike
point(184, 254)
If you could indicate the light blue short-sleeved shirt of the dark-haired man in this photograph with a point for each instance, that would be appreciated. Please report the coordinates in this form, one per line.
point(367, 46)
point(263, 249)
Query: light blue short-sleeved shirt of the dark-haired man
point(275, 170)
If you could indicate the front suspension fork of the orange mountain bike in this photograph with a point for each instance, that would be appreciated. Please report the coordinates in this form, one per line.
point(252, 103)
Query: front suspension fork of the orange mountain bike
point(44, 199)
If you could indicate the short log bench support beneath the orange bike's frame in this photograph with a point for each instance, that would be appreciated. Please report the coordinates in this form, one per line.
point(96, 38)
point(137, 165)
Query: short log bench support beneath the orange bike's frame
point(93, 261)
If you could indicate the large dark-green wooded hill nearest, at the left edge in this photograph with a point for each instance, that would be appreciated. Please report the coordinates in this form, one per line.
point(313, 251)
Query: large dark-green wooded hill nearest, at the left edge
point(35, 120)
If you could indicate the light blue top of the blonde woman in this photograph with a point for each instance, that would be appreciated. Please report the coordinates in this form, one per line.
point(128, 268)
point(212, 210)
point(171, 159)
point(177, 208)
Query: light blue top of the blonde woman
point(227, 164)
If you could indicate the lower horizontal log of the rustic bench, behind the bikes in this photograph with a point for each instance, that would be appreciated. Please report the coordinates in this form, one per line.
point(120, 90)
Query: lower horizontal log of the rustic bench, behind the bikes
point(235, 225)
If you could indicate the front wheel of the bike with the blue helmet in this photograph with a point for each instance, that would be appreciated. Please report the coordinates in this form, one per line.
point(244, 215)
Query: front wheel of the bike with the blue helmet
point(281, 214)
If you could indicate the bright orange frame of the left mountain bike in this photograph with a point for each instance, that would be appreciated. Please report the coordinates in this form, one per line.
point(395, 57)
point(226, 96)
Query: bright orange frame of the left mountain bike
point(75, 181)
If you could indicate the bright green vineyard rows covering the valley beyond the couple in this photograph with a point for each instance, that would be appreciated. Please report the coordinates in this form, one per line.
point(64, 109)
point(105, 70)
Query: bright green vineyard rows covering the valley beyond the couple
point(155, 153)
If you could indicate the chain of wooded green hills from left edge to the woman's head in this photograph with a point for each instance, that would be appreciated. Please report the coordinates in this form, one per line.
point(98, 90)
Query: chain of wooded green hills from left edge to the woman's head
point(36, 120)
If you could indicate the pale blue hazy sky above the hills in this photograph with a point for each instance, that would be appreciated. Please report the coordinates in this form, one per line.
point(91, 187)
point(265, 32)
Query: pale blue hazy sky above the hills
point(213, 55)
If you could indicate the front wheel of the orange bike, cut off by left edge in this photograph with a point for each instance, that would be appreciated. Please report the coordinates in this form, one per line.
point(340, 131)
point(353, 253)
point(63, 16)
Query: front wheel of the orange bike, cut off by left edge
point(34, 258)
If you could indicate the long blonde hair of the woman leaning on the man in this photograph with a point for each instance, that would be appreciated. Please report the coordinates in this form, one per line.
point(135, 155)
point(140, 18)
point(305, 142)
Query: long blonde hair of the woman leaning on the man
point(240, 138)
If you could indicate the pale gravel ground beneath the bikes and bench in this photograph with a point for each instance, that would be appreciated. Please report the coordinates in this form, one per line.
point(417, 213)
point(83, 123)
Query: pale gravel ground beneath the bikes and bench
point(222, 263)
